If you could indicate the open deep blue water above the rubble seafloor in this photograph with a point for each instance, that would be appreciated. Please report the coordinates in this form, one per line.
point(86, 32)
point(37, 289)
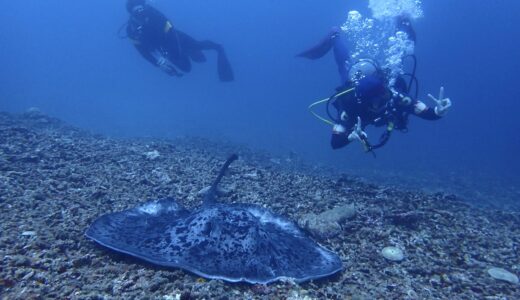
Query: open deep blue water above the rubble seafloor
point(65, 58)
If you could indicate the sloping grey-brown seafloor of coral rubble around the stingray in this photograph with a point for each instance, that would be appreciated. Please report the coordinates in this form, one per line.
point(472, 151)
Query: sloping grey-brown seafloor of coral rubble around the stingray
point(55, 180)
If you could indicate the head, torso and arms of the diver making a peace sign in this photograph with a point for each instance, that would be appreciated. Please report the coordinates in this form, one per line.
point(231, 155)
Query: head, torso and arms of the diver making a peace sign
point(368, 100)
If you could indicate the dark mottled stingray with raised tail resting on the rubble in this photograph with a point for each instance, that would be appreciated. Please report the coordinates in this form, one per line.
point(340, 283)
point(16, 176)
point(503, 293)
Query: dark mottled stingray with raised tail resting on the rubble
point(233, 242)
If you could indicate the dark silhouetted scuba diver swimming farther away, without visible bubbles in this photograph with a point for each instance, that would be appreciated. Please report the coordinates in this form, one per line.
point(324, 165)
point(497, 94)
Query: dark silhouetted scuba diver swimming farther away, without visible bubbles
point(166, 47)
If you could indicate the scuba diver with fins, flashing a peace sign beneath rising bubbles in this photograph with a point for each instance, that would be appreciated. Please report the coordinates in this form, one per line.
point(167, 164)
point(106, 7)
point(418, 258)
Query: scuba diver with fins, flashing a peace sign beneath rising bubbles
point(367, 97)
